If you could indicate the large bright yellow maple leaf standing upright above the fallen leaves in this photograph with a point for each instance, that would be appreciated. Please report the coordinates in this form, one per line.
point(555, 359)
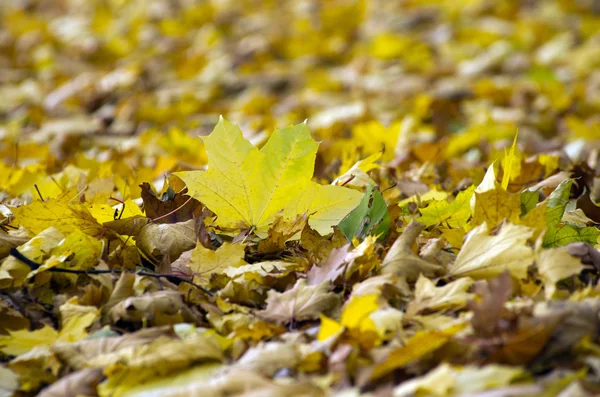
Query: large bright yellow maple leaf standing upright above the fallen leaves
point(246, 187)
